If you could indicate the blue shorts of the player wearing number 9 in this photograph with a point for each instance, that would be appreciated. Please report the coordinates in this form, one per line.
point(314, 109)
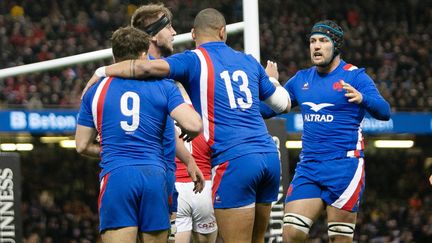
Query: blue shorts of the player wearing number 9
point(134, 196)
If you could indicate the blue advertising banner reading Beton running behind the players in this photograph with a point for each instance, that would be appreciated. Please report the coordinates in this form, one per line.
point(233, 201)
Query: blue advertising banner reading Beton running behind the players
point(64, 121)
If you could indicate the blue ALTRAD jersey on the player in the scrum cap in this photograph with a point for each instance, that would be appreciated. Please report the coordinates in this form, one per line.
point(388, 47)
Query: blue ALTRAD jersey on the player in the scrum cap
point(331, 124)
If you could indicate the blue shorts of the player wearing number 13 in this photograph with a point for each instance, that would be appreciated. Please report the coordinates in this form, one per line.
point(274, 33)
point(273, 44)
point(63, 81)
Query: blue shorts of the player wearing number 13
point(248, 179)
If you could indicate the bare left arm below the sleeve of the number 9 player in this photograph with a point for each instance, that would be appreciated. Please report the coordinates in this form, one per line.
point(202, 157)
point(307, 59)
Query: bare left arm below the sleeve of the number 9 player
point(84, 137)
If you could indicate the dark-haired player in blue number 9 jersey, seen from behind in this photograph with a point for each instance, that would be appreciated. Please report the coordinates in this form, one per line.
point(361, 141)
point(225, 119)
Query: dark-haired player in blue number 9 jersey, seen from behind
point(130, 118)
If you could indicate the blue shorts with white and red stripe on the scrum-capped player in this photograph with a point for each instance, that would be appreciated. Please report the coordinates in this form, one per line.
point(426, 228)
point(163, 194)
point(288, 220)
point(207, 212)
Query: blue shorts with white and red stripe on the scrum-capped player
point(339, 182)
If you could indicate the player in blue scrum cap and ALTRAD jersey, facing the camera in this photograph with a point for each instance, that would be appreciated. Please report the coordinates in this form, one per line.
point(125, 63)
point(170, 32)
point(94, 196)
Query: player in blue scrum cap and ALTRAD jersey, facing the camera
point(333, 97)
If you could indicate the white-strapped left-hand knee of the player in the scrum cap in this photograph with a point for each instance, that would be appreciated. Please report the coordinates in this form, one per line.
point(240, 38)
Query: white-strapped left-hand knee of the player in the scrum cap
point(296, 227)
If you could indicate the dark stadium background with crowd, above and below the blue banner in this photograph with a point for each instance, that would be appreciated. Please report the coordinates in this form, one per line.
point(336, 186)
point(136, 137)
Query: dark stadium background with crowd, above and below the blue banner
point(392, 39)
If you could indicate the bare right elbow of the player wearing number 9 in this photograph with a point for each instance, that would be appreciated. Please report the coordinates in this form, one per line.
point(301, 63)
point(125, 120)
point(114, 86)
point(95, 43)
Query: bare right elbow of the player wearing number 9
point(188, 120)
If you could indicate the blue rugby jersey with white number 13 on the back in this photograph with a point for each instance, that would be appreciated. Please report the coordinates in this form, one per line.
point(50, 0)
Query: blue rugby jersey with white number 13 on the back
point(226, 87)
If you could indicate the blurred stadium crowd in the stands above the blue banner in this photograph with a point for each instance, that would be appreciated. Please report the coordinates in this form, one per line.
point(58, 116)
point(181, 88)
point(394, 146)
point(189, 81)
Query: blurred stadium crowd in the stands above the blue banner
point(391, 39)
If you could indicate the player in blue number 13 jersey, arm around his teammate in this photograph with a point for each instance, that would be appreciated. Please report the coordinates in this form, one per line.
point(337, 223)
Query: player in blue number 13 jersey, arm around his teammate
point(226, 87)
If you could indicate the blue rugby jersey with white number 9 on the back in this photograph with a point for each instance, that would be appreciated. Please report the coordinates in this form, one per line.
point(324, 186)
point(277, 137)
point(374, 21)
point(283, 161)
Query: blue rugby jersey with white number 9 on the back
point(130, 117)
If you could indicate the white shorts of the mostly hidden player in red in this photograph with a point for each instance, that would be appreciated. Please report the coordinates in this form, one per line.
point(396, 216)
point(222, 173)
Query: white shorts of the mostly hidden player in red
point(195, 211)
